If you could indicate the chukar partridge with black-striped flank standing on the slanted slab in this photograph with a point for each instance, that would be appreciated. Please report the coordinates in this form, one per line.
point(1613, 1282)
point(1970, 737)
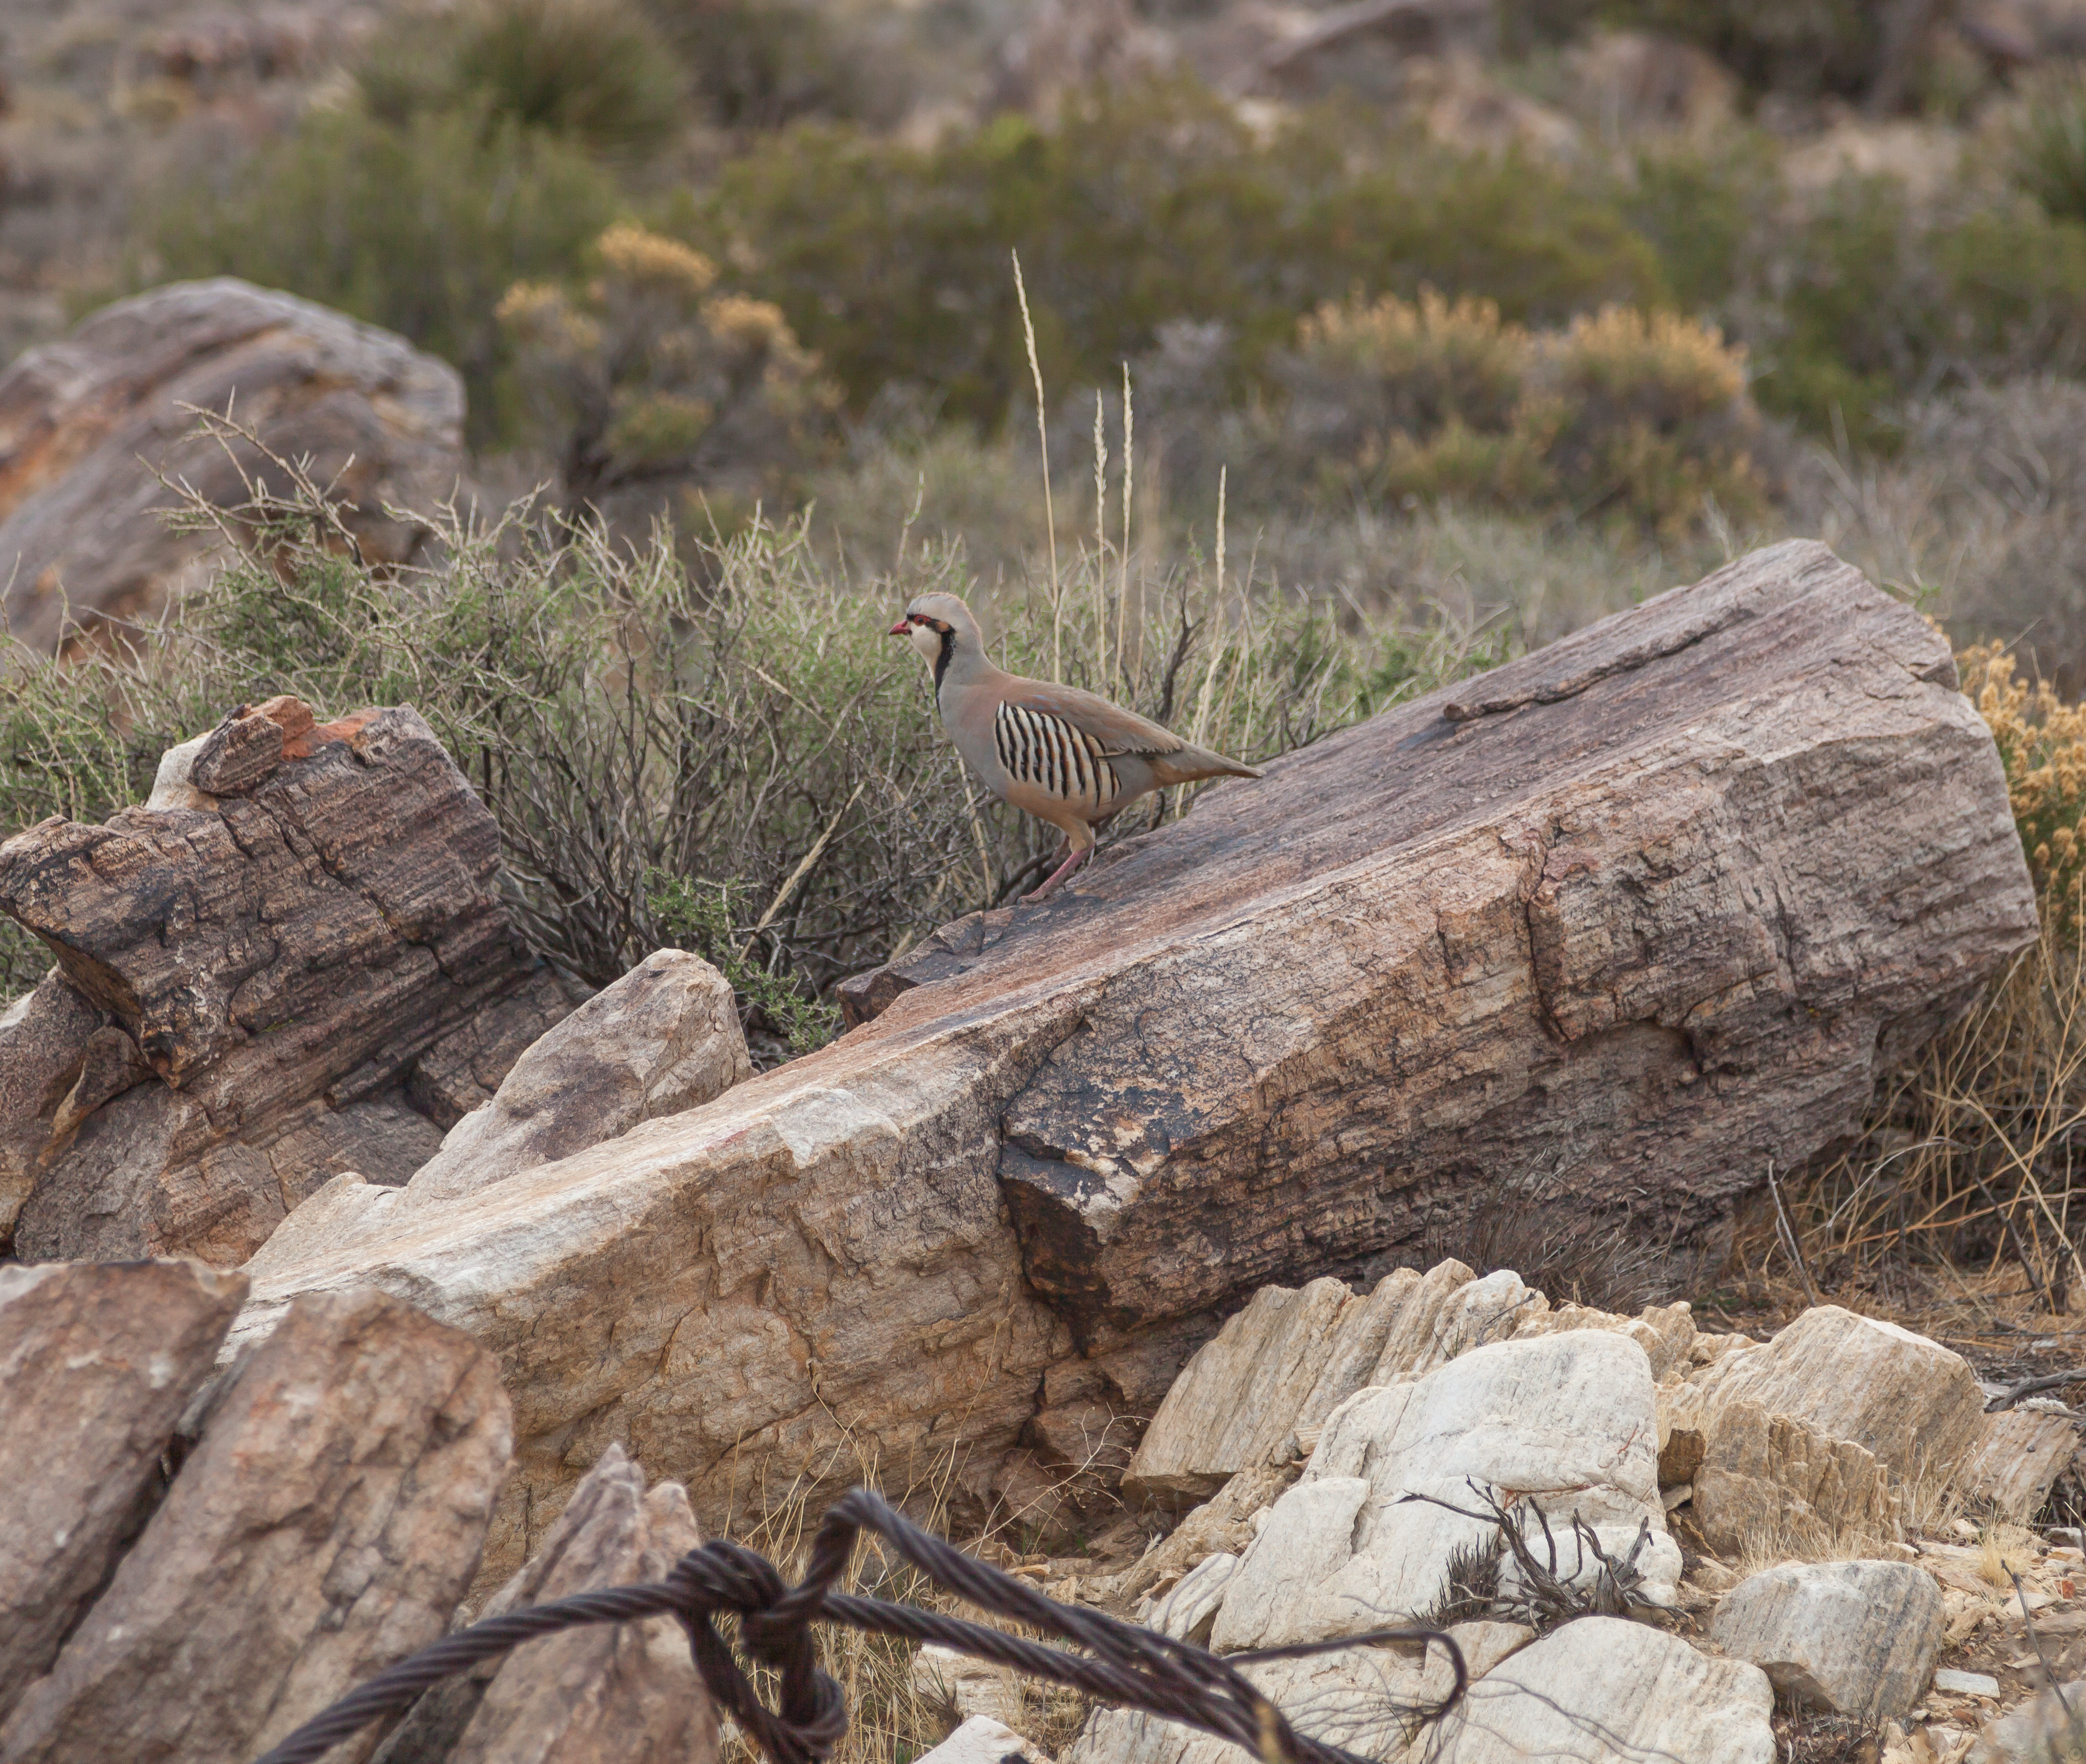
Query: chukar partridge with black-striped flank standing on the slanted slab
point(1059, 754)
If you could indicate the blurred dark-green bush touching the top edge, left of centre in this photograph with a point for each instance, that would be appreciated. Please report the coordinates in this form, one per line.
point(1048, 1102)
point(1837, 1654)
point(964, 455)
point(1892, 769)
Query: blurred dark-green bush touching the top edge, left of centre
point(593, 72)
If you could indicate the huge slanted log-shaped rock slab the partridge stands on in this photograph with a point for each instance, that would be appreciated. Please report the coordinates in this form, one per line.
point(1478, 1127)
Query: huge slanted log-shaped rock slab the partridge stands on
point(1636, 916)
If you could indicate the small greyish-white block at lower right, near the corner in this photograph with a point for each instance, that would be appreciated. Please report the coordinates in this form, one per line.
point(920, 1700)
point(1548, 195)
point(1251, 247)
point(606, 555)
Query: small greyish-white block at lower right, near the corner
point(1849, 1638)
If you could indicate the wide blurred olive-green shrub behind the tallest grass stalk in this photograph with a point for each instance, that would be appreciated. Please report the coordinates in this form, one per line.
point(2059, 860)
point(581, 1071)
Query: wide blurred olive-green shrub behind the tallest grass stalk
point(1136, 210)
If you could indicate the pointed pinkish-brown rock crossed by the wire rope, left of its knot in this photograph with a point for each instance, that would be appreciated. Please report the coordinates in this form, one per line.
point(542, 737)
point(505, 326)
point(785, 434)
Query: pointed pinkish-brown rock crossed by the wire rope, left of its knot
point(589, 1696)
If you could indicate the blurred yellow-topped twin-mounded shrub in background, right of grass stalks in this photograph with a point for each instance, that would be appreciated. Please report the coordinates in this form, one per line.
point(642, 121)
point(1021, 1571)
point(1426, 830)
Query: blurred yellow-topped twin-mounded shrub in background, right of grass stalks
point(1622, 414)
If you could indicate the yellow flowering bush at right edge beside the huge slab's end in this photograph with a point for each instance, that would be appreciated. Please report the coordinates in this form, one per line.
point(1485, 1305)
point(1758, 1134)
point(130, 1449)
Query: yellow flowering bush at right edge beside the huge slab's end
point(2043, 745)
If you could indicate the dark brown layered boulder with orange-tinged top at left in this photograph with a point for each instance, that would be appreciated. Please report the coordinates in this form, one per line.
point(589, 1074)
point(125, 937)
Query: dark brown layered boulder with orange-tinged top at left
point(247, 985)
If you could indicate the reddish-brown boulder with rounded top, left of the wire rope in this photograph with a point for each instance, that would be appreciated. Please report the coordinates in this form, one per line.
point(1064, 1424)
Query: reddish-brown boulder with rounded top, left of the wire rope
point(326, 1525)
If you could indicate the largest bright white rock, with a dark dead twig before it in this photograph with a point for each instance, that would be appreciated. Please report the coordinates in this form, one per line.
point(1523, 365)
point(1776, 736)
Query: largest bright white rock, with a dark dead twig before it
point(1568, 1421)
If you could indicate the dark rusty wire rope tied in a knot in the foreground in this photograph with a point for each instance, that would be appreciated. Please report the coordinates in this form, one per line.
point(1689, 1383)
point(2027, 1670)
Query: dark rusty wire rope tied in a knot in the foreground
point(1117, 1665)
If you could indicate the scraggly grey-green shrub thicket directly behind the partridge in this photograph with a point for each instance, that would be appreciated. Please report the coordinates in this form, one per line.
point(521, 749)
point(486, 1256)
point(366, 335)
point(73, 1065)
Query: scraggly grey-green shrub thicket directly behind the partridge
point(735, 758)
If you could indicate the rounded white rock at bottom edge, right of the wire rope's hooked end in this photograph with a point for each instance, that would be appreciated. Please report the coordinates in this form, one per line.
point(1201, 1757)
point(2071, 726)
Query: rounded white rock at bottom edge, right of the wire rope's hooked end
point(1614, 1690)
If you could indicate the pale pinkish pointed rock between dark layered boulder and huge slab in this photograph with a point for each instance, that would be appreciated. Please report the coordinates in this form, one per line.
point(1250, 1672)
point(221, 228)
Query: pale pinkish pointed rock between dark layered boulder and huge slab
point(662, 1039)
